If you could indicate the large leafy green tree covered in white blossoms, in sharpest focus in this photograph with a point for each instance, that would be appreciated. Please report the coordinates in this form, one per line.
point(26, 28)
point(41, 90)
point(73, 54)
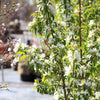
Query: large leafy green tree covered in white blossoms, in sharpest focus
point(70, 62)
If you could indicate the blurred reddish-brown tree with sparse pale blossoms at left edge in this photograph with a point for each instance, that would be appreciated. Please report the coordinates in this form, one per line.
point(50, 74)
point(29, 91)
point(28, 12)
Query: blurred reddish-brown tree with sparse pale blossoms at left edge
point(7, 9)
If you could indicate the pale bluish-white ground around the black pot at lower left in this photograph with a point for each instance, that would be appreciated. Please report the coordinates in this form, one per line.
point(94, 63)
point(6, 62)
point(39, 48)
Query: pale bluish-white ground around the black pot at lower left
point(19, 90)
